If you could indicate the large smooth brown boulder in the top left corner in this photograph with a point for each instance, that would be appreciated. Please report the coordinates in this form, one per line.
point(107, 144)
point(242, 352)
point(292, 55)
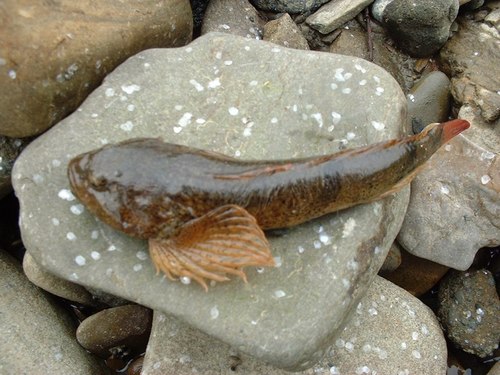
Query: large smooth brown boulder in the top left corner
point(53, 54)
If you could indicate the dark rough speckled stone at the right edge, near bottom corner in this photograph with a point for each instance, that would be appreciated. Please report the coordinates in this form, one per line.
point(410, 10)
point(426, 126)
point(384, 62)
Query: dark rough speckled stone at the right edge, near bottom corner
point(470, 311)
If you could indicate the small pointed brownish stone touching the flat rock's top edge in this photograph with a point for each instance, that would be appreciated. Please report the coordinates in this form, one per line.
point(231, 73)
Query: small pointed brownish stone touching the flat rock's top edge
point(285, 32)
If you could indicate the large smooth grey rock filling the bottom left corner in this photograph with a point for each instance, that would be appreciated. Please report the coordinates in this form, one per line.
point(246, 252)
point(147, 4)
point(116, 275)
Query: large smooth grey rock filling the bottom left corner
point(38, 337)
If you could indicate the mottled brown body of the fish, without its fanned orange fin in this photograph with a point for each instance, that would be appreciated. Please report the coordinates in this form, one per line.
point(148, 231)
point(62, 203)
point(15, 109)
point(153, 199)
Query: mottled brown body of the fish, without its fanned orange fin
point(150, 189)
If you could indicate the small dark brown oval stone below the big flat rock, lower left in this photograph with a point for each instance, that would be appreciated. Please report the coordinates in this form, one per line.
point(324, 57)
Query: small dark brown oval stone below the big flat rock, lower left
point(118, 329)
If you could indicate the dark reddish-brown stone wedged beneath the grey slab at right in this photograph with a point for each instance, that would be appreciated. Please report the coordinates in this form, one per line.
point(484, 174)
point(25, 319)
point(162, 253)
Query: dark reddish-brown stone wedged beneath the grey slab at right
point(416, 275)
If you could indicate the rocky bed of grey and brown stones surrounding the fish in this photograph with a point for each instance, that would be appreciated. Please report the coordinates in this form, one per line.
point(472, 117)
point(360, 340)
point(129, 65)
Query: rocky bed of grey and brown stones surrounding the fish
point(404, 285)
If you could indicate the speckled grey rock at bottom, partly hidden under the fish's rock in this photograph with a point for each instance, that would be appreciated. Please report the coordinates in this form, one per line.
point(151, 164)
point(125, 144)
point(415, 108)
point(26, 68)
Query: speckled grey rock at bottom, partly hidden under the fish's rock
point(414, 345)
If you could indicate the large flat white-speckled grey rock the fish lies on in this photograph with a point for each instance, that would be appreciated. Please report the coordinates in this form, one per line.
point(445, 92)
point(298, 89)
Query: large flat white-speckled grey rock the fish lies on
point(248, 99)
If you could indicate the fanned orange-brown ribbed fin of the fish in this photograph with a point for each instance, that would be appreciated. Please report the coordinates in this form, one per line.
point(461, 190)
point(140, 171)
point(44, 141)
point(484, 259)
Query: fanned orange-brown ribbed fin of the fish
point(221, 242)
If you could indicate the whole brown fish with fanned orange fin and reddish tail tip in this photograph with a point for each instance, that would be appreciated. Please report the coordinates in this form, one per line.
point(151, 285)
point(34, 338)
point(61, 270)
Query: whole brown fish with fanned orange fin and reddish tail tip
point(204, 213)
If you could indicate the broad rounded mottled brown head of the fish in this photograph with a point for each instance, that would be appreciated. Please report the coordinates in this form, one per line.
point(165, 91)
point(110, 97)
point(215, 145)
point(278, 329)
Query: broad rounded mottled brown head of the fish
point(121, 185)
